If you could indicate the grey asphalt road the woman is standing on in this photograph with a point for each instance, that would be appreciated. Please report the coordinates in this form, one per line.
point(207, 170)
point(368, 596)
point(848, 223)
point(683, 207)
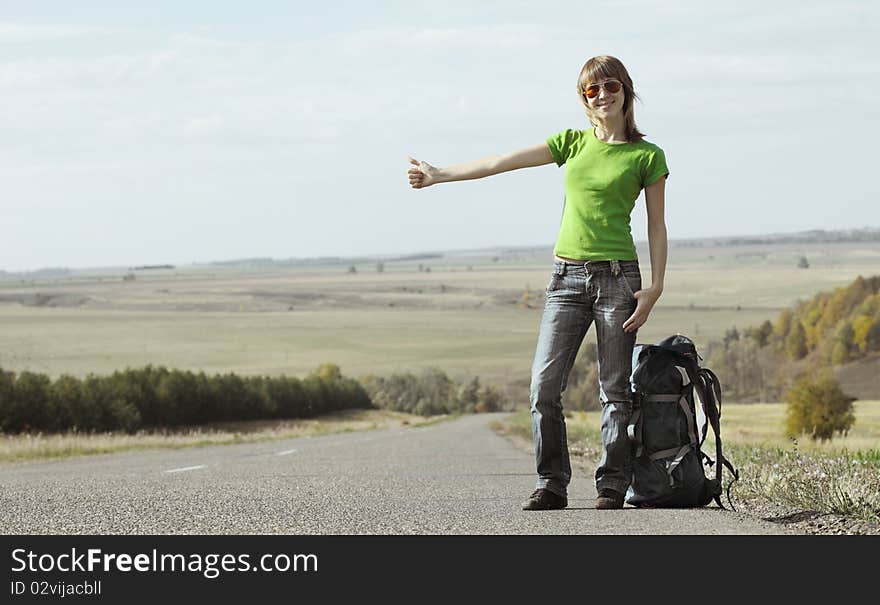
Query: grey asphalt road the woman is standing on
point(455, 477)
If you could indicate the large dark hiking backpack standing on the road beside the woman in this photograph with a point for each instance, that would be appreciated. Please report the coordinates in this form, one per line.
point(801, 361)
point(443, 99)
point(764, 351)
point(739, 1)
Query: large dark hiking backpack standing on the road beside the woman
point(667, 428)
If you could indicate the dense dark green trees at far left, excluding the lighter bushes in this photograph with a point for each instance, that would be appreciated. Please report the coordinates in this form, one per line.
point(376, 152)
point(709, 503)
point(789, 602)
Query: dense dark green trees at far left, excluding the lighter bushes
point(151, 397)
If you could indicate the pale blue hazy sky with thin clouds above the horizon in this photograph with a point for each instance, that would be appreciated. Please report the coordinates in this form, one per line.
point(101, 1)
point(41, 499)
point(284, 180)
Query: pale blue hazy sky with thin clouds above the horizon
point(179, 132)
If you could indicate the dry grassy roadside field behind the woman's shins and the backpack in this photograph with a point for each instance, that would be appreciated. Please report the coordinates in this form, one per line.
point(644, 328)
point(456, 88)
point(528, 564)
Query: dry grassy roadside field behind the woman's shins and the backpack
point(840, 477)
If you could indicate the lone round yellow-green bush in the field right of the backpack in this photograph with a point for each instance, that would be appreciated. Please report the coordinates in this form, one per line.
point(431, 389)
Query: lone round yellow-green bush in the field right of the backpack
point(816, 406)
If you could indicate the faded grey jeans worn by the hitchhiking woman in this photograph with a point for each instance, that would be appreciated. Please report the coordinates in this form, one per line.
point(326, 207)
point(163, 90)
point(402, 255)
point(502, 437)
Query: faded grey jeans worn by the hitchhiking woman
point(579, 294)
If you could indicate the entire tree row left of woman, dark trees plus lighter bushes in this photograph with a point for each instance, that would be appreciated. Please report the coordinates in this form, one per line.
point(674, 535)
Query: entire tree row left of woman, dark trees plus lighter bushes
point(157, 397)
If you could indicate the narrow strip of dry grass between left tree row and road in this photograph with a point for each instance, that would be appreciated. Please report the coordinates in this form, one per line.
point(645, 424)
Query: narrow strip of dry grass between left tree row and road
point(39, 446)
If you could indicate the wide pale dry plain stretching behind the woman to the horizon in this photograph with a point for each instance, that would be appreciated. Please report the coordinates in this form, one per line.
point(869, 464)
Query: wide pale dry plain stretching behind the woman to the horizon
point(469, 315)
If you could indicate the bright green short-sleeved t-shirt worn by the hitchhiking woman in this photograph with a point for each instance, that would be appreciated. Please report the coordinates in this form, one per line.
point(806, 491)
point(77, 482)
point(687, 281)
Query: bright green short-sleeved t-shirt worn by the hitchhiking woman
point(602, 183)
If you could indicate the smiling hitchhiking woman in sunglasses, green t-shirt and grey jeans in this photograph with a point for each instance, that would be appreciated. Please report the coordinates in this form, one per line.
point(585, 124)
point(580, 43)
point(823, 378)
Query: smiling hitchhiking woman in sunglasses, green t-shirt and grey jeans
point(595, 275)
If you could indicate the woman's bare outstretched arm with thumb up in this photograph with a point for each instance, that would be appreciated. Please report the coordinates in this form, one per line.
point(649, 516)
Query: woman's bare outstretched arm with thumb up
point(422, 174)
